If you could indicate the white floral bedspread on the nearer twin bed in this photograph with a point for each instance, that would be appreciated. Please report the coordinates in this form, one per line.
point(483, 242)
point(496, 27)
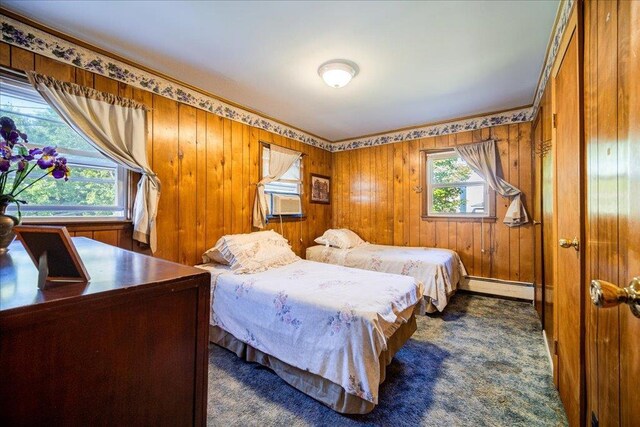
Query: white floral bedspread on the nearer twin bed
point(330, 320)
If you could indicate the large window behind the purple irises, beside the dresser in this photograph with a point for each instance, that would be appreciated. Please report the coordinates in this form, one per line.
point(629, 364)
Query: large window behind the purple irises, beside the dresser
point(97, 185)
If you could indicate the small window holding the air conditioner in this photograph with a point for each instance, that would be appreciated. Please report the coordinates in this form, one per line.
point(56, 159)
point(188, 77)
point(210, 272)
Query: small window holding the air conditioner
point(290, 184)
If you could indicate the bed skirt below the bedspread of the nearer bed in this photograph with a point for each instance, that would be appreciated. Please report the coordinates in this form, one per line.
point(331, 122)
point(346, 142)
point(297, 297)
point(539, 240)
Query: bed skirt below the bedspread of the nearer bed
point(321, 389)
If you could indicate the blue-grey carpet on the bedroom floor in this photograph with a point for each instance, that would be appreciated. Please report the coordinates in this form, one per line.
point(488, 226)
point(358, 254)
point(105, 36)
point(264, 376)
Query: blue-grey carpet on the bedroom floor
point(481, 362)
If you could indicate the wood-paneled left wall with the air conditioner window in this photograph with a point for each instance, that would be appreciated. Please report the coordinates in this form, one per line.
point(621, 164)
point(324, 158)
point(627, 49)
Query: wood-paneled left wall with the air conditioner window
point(208, 166)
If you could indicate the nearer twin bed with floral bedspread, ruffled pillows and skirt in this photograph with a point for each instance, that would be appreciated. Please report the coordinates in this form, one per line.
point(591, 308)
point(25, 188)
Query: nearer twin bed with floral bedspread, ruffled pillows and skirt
point(330, 331)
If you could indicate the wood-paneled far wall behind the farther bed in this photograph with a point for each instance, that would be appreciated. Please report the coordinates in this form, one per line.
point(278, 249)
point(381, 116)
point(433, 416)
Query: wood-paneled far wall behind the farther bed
point(374, 195)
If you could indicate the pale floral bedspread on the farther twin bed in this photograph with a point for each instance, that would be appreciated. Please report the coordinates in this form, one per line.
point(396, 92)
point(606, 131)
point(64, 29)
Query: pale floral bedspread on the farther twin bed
point(439, 270)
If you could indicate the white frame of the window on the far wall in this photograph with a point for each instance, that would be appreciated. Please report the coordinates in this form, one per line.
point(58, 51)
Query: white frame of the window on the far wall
point(430, 185)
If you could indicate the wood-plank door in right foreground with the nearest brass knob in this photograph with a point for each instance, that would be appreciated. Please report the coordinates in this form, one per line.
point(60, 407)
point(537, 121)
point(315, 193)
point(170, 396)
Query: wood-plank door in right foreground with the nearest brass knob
point(612, 118)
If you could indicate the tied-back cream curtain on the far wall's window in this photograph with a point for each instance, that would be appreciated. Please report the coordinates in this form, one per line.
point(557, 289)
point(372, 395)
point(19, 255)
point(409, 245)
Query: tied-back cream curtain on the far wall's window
point(482, 157)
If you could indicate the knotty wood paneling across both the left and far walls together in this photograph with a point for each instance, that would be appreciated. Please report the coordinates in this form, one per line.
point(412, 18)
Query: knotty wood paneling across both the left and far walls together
point(208, 166)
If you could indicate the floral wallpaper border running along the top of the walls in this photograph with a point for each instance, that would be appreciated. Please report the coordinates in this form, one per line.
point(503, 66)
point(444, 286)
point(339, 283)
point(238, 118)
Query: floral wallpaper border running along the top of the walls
point(25, 36)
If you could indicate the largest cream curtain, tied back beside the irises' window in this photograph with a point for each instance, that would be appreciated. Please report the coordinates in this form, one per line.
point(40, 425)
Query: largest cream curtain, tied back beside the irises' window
point(117, 127)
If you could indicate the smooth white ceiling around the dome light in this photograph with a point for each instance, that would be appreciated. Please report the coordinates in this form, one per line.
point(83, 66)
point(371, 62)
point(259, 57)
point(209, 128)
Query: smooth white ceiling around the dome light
point(419, 62)
